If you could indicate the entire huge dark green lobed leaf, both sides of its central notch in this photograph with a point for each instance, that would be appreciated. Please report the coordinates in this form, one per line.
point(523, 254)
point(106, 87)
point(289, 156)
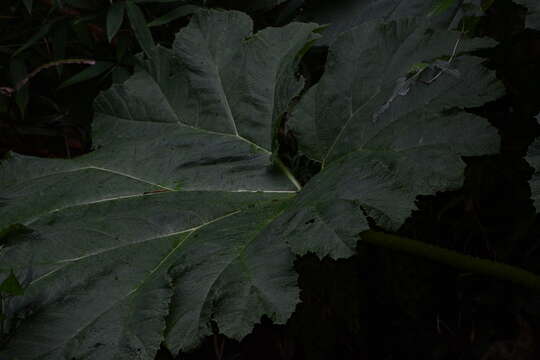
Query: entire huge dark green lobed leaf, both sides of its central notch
point(182, 217)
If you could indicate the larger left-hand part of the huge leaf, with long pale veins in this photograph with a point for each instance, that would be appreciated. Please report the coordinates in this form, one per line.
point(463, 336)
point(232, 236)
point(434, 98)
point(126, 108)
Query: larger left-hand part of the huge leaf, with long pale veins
point(163, 229)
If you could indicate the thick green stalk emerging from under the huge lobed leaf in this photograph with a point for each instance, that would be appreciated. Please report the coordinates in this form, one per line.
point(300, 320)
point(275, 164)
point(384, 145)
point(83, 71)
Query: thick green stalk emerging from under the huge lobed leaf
point(453, 258)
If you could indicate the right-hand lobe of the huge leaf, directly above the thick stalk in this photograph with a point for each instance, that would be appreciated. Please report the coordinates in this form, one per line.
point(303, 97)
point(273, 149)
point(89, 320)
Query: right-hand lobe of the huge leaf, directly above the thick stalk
point(385, 132)
